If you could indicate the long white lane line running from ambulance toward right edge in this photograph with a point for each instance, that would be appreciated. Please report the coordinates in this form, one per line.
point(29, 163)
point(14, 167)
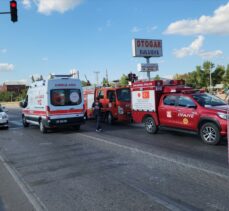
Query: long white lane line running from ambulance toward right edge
point(170, 160)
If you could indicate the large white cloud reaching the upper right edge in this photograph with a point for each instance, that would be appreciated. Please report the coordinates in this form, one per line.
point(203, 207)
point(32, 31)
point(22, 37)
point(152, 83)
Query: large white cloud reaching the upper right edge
point(215, 24)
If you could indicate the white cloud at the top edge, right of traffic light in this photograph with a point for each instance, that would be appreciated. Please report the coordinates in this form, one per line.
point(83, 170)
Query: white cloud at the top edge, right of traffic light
point(48, 6)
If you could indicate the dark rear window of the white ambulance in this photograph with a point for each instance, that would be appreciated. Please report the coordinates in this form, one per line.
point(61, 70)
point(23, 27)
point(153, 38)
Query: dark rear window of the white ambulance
point(65, 97)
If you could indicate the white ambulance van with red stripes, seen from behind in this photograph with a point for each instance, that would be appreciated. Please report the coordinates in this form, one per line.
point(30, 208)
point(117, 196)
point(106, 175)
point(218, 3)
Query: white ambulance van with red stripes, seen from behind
point(55, 102)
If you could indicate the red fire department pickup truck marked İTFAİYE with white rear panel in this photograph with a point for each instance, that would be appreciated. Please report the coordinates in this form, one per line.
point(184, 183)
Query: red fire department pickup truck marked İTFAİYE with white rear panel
point(174, 106)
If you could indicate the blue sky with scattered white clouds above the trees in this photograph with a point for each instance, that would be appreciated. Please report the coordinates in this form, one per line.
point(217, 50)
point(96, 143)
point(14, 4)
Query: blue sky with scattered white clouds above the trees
point(56, 36)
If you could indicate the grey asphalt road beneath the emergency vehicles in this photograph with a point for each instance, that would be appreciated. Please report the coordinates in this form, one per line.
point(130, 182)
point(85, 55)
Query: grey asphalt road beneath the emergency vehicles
point(122, 168)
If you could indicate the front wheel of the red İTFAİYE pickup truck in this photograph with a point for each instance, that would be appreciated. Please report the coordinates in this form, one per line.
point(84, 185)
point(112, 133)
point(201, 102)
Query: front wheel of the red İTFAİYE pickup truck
point(209, 133)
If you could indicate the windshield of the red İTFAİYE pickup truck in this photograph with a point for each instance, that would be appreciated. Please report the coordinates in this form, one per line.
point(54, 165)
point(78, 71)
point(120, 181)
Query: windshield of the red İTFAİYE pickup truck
point(208, 100)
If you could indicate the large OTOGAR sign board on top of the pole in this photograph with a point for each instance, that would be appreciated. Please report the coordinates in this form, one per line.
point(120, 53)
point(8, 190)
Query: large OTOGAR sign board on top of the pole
point(146, 48)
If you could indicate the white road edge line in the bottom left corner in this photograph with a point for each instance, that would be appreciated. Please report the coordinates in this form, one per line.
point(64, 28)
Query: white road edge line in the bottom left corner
point(29, 193)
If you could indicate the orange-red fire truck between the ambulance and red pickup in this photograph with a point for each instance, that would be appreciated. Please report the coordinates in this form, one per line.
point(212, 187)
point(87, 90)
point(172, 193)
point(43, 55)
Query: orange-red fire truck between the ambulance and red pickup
point(116, 103)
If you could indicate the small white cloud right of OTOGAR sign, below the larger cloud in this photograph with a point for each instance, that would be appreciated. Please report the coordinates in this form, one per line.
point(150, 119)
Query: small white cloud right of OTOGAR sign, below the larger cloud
point(195, 48)
